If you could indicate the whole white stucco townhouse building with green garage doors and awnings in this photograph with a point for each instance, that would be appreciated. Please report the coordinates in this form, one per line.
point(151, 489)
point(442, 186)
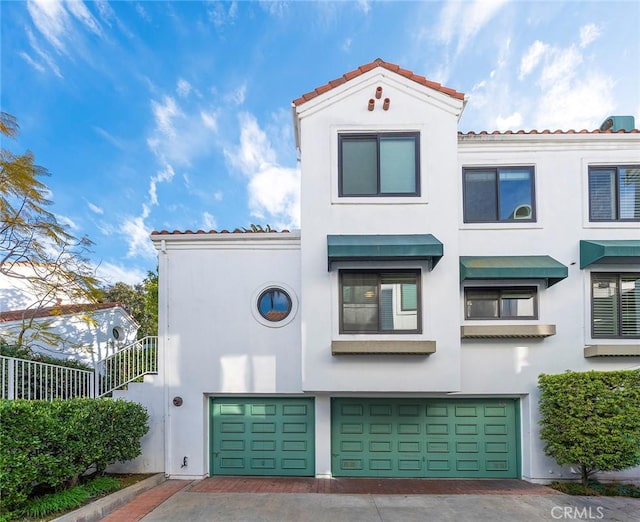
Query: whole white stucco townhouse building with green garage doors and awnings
point(402, 332)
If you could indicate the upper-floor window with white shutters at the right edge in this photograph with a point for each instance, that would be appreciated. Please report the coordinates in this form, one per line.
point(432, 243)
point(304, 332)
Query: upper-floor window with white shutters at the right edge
point(614, 193)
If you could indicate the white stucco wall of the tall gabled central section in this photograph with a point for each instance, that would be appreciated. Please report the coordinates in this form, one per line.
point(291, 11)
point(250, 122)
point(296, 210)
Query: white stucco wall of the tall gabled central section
point(412, 108)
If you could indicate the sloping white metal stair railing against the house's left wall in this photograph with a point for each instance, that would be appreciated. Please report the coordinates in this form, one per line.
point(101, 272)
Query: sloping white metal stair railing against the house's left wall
point(126, 365)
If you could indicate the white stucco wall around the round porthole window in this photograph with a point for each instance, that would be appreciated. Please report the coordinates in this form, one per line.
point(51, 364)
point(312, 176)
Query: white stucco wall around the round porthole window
point(211, 342)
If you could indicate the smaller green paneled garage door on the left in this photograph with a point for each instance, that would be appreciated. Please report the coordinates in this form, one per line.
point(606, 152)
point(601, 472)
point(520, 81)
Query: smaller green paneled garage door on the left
point(262, 436)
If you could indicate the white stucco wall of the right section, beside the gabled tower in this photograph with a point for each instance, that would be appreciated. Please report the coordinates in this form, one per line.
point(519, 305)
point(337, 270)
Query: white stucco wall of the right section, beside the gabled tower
point(511, 366)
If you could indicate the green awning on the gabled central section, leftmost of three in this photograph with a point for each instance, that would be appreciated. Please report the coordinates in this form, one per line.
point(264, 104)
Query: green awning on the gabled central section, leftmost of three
point(392, 247)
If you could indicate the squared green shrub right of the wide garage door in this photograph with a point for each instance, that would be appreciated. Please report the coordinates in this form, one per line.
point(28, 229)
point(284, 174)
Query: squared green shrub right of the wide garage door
point(591, 419)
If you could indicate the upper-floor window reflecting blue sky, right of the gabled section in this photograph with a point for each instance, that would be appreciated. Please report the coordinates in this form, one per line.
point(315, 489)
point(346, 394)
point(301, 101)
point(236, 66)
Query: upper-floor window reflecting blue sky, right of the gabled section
point(498, 194)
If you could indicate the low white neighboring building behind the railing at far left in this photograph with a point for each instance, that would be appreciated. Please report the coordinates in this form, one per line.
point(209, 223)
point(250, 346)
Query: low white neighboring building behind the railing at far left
point(83, 332)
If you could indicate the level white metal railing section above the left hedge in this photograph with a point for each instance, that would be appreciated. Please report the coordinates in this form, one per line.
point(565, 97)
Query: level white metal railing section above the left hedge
point(24, 379)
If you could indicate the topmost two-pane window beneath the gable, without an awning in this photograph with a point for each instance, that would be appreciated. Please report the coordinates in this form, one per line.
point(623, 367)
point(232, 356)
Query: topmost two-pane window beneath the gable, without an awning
point(384, 164)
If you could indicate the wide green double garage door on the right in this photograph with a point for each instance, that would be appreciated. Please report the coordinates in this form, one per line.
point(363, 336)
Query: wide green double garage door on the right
point(470, 438)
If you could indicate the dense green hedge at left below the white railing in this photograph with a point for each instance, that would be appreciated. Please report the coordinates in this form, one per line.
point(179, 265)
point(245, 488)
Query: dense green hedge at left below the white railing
point(52, 444)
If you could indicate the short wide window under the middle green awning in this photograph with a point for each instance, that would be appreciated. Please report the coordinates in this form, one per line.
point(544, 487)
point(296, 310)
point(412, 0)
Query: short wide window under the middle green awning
point(501, 303)
